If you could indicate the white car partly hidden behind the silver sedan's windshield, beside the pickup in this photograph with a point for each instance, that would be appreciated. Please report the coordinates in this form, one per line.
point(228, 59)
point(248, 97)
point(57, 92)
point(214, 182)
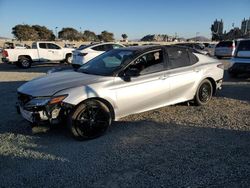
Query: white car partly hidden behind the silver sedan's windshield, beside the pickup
point(85, 53)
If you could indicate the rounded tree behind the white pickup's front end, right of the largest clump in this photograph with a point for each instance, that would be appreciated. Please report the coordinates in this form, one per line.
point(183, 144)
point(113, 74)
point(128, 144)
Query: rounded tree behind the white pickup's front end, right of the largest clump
point(69, 33)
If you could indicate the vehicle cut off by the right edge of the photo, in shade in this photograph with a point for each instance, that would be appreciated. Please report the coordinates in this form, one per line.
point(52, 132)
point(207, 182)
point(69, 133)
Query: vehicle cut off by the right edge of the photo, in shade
point(240, 63)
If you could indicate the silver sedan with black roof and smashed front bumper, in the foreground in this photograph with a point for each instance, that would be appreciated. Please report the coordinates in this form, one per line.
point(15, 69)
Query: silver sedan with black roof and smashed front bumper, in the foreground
point(118, 83)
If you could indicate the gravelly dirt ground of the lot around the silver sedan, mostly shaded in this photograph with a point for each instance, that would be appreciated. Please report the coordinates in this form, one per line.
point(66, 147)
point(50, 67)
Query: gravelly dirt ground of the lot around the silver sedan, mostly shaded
point(176, 146)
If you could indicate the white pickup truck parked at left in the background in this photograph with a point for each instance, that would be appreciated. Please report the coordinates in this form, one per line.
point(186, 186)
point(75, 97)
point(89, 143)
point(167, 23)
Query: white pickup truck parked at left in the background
point(41, 51)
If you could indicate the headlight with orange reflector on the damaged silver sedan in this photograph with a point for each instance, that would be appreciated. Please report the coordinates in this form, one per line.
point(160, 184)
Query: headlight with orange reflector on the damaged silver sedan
point(42, 101)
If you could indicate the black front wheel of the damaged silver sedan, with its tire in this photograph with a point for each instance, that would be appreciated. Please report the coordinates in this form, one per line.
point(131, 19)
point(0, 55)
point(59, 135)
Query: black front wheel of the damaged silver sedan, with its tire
point(89, 120)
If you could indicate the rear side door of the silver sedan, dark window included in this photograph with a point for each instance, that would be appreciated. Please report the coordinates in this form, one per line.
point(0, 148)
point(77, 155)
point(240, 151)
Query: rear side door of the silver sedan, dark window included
point(183, 74)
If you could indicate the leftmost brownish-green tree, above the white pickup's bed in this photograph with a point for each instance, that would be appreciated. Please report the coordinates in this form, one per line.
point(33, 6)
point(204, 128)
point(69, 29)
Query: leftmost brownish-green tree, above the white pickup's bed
point(24, 32)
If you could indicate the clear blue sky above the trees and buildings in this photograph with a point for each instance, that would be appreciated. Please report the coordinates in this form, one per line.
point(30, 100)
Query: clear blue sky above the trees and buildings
point(136, 18)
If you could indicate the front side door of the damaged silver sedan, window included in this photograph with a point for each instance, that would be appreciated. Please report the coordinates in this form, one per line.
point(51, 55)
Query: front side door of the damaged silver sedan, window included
point(147, 90)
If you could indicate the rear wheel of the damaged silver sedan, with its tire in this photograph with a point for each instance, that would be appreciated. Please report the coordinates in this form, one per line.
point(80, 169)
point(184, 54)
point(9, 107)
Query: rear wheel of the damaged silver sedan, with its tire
point(204, 93)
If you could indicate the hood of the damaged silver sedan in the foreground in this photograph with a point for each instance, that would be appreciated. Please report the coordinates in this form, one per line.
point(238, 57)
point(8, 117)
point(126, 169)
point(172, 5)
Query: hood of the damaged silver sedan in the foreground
point(52, 83)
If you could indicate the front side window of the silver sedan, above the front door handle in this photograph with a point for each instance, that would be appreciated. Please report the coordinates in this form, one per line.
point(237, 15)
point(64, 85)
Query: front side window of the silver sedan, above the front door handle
point(149, 63)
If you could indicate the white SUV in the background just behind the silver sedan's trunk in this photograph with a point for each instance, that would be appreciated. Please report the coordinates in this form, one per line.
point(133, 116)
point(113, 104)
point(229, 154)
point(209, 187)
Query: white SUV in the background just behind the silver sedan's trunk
point(225, 49)
